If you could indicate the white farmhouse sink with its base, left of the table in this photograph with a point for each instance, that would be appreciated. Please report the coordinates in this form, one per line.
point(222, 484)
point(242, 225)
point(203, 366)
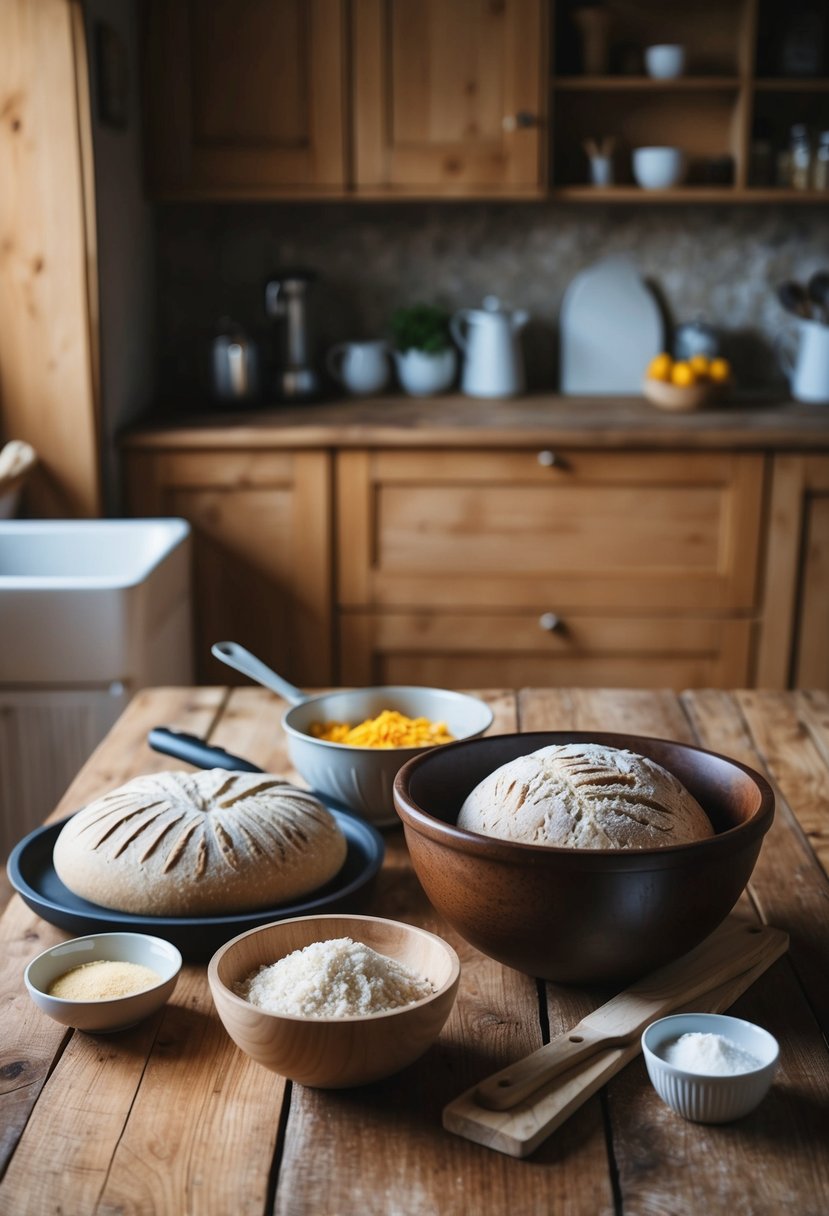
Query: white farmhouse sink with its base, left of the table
point(91, 612)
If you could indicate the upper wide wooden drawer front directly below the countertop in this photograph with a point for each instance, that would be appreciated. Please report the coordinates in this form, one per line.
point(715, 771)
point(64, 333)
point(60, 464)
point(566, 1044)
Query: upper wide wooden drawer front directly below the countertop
point(630, 531)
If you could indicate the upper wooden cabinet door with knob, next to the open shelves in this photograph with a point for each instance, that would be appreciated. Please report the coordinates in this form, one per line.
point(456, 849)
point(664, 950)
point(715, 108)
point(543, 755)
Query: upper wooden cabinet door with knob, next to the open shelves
point(450, 97)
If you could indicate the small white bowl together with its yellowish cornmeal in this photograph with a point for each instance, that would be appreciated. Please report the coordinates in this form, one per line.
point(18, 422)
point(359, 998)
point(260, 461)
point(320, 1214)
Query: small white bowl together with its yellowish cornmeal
point(106, 982)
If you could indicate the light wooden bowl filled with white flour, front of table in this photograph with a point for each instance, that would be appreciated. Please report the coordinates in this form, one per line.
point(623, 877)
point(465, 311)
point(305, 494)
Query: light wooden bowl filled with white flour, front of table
point(335, 1001)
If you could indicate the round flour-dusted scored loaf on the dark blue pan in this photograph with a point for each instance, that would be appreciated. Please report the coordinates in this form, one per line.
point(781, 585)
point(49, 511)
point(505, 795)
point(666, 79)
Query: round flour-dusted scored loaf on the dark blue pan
point(200, 845)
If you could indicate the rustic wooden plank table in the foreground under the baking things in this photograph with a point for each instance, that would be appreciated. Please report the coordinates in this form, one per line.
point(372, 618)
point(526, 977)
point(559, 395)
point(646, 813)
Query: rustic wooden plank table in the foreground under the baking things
point(171, 1119)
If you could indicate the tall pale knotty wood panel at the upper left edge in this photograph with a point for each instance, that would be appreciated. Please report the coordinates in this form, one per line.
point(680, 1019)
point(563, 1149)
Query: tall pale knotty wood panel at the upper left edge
point(49, 364)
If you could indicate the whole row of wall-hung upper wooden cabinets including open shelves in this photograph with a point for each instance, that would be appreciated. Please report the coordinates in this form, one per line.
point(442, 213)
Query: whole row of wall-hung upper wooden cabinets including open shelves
point(489, 99)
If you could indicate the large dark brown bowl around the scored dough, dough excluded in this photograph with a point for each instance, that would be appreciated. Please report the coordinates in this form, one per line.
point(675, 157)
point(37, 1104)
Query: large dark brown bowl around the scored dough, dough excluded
point(580, 916)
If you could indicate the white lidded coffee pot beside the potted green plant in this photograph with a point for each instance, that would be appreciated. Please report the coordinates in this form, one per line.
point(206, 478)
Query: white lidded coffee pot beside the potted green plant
point(489, 339)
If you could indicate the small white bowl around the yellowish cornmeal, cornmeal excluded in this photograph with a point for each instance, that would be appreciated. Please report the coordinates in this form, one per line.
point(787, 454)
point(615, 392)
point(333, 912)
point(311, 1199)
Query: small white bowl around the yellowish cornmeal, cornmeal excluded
point(101, 1017)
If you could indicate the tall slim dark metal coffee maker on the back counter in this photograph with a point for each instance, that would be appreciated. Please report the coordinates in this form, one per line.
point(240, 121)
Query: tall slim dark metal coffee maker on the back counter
point(287, 300)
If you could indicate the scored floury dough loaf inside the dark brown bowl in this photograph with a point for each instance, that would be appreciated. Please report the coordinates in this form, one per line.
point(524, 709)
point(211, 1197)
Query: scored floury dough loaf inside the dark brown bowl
point(585, 796)
